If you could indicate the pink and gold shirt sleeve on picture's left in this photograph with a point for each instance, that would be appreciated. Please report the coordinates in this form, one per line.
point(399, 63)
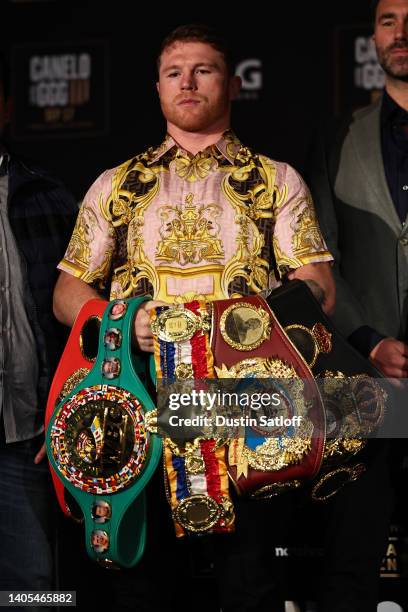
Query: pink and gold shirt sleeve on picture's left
point(92, 244)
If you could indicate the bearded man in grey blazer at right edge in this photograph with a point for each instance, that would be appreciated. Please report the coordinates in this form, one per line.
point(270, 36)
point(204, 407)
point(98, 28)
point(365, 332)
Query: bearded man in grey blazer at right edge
point(360, 189)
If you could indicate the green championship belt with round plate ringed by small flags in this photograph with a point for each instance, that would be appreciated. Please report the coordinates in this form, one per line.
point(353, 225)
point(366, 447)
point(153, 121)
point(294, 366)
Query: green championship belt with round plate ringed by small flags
point(100, 446)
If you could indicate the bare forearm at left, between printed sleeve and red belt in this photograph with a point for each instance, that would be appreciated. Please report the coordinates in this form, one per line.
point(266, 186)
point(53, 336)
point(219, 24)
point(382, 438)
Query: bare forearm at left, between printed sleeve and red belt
point(70, 294)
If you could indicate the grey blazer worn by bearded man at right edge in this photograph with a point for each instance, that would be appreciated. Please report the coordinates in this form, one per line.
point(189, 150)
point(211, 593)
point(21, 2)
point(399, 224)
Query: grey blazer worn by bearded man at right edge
point(362, 228)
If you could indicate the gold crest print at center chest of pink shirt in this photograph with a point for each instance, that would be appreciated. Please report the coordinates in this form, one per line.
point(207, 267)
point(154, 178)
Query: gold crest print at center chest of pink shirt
point(190, 234)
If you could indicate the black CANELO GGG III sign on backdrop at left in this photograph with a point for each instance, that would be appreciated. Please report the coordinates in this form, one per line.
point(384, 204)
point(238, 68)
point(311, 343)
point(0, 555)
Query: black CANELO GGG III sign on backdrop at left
point(61, 89)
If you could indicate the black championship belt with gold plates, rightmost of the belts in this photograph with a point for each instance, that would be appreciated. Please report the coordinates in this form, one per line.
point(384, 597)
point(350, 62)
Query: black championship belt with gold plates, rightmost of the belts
point(350, 385)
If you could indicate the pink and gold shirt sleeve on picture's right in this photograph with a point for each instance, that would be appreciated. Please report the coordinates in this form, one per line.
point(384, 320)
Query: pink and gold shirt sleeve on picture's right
point(297, 237)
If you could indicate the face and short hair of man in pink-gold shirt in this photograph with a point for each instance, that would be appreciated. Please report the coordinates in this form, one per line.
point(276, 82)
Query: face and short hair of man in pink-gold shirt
point(195, 88)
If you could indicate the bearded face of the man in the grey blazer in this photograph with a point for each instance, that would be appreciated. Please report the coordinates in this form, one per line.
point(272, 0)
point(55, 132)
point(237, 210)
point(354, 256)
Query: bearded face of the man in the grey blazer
point(391, 37)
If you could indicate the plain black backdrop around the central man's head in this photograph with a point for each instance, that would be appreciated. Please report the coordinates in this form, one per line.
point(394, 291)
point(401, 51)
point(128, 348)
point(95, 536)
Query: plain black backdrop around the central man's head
point(294, 40)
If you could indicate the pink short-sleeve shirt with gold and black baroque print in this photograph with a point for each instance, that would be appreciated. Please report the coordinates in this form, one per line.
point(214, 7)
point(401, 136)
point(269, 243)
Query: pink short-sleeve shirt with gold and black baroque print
point(221, 223)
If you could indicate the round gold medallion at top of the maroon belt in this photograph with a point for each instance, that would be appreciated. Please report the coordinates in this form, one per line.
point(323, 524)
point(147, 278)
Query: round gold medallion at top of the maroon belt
point(244, 326)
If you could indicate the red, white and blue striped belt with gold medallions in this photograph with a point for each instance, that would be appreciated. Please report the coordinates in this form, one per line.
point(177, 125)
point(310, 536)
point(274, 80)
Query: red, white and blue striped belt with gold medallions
point(196, 478)
